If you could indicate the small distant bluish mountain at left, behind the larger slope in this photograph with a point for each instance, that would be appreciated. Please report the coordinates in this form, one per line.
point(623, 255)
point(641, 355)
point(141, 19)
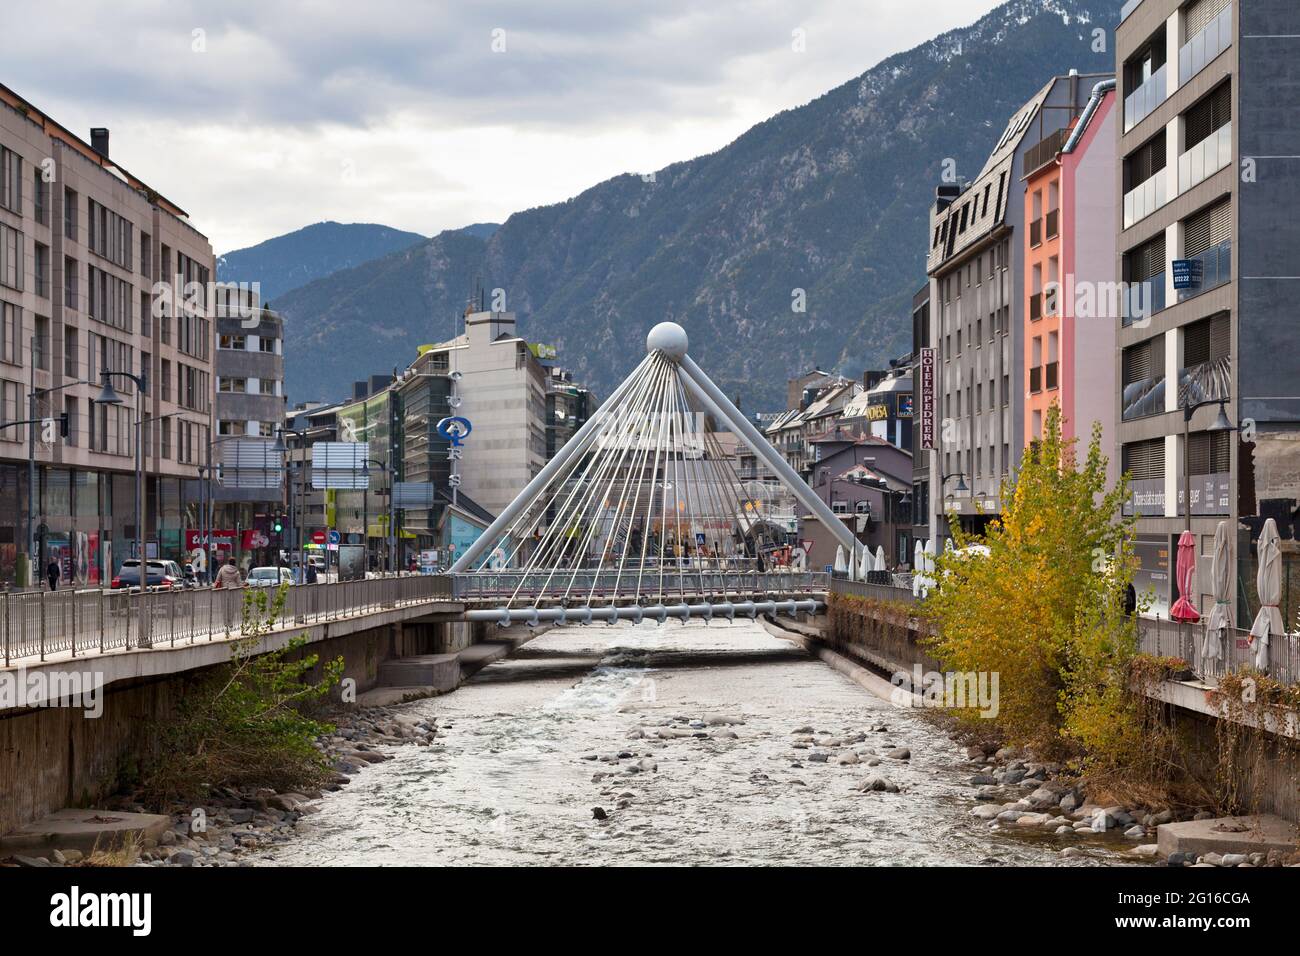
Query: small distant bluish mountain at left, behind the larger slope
point(311, 253)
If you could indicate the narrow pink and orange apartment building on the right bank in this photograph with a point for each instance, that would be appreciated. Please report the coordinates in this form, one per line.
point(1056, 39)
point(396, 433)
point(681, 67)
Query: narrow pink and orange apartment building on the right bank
point(1073, 299)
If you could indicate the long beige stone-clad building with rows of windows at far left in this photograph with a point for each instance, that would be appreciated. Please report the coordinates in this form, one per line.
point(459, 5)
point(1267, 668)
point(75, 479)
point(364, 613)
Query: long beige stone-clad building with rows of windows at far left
point(98, 274)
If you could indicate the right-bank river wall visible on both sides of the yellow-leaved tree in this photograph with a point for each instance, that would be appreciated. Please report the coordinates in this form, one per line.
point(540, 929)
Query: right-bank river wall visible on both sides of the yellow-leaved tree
point(1264, 772)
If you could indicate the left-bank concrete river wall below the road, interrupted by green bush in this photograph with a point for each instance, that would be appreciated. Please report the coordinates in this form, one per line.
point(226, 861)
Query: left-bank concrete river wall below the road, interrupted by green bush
point(57, 758)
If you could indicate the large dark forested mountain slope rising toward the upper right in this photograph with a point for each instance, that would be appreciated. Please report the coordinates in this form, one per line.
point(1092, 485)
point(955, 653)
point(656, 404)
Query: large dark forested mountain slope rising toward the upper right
point(830, 198)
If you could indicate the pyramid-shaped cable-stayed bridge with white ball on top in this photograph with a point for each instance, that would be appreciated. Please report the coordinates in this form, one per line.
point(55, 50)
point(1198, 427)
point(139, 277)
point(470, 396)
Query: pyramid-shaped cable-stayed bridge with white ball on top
point(643, 517)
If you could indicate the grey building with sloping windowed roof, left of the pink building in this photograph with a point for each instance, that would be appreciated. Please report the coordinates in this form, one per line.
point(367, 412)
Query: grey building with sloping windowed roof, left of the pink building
point(976, 263)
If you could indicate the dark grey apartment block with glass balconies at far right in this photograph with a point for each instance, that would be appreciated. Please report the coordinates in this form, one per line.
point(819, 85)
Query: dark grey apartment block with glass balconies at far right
point(1210, 239)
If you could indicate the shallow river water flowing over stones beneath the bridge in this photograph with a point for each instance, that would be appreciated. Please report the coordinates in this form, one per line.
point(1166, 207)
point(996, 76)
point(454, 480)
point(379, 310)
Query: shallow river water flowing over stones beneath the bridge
point(510, 780)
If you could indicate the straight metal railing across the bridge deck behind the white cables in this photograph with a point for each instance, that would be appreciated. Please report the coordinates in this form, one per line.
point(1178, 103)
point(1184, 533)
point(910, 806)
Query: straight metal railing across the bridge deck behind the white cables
point(610, 585)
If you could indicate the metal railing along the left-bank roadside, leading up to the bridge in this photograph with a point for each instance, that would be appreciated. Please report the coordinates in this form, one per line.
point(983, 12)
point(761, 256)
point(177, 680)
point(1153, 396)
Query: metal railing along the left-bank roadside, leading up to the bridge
point(88, 622)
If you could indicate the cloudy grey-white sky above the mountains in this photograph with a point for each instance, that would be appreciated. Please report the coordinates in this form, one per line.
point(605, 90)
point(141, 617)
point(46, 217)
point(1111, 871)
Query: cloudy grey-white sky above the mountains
point(262, 116)
